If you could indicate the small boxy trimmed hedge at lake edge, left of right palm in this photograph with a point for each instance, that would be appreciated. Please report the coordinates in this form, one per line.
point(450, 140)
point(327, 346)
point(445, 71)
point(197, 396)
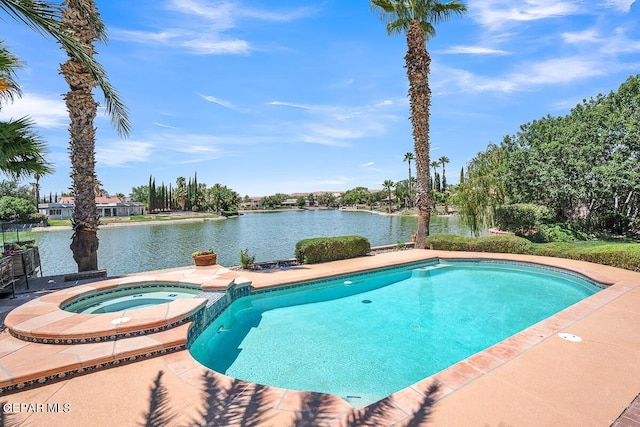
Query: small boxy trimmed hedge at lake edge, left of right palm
point(323, 249)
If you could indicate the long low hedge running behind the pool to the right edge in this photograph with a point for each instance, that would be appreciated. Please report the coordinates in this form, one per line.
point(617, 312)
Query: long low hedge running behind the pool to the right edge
point(622, 255)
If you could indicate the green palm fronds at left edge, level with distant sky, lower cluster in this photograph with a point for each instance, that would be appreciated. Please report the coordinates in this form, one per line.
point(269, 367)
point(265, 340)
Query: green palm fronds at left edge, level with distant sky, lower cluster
point(21, 150)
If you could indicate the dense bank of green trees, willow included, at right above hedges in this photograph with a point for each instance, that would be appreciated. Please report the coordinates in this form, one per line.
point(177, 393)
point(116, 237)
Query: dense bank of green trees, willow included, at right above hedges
point(584, 168)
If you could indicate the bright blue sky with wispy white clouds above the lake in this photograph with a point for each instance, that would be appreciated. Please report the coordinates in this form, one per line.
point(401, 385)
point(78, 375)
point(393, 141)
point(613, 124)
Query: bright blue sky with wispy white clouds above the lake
point(311, 95)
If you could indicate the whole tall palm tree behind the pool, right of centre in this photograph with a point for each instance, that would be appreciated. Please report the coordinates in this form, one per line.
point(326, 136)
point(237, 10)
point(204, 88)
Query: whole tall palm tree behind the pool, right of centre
point(417, 19)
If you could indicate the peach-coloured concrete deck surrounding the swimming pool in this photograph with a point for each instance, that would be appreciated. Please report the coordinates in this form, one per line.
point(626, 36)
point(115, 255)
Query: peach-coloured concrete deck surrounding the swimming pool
point(534, 378)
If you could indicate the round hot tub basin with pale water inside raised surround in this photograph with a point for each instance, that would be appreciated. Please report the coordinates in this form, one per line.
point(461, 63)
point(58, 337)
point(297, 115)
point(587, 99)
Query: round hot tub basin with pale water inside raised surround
point(133, 296)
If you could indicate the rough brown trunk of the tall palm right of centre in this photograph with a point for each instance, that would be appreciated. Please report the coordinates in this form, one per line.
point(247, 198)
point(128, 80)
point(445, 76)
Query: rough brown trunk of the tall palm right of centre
point(417, 62)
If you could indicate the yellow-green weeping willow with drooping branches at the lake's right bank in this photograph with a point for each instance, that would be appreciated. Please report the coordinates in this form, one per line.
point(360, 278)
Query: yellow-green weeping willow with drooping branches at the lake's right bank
point(483, 189)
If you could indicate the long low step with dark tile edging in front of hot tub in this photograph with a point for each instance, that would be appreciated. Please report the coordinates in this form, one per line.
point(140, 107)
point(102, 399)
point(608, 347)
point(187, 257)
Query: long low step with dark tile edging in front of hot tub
point(26, 367)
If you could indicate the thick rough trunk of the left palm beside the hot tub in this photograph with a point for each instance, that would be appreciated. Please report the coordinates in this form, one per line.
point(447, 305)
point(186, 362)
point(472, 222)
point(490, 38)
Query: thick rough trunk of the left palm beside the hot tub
point(82, 111)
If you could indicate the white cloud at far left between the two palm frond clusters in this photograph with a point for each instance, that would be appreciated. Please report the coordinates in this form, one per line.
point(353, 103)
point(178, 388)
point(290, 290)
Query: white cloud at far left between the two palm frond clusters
point(45, 112)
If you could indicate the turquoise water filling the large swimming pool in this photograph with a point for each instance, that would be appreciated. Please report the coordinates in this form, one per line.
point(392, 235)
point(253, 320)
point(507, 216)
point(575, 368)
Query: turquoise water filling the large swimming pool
point(366, 336)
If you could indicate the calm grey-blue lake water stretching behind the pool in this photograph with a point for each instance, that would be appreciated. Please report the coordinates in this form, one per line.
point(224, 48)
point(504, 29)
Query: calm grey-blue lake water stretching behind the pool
point(267, 236)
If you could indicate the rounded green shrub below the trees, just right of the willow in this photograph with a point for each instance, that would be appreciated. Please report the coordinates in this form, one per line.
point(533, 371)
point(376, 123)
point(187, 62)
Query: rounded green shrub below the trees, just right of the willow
point(521, 218)
